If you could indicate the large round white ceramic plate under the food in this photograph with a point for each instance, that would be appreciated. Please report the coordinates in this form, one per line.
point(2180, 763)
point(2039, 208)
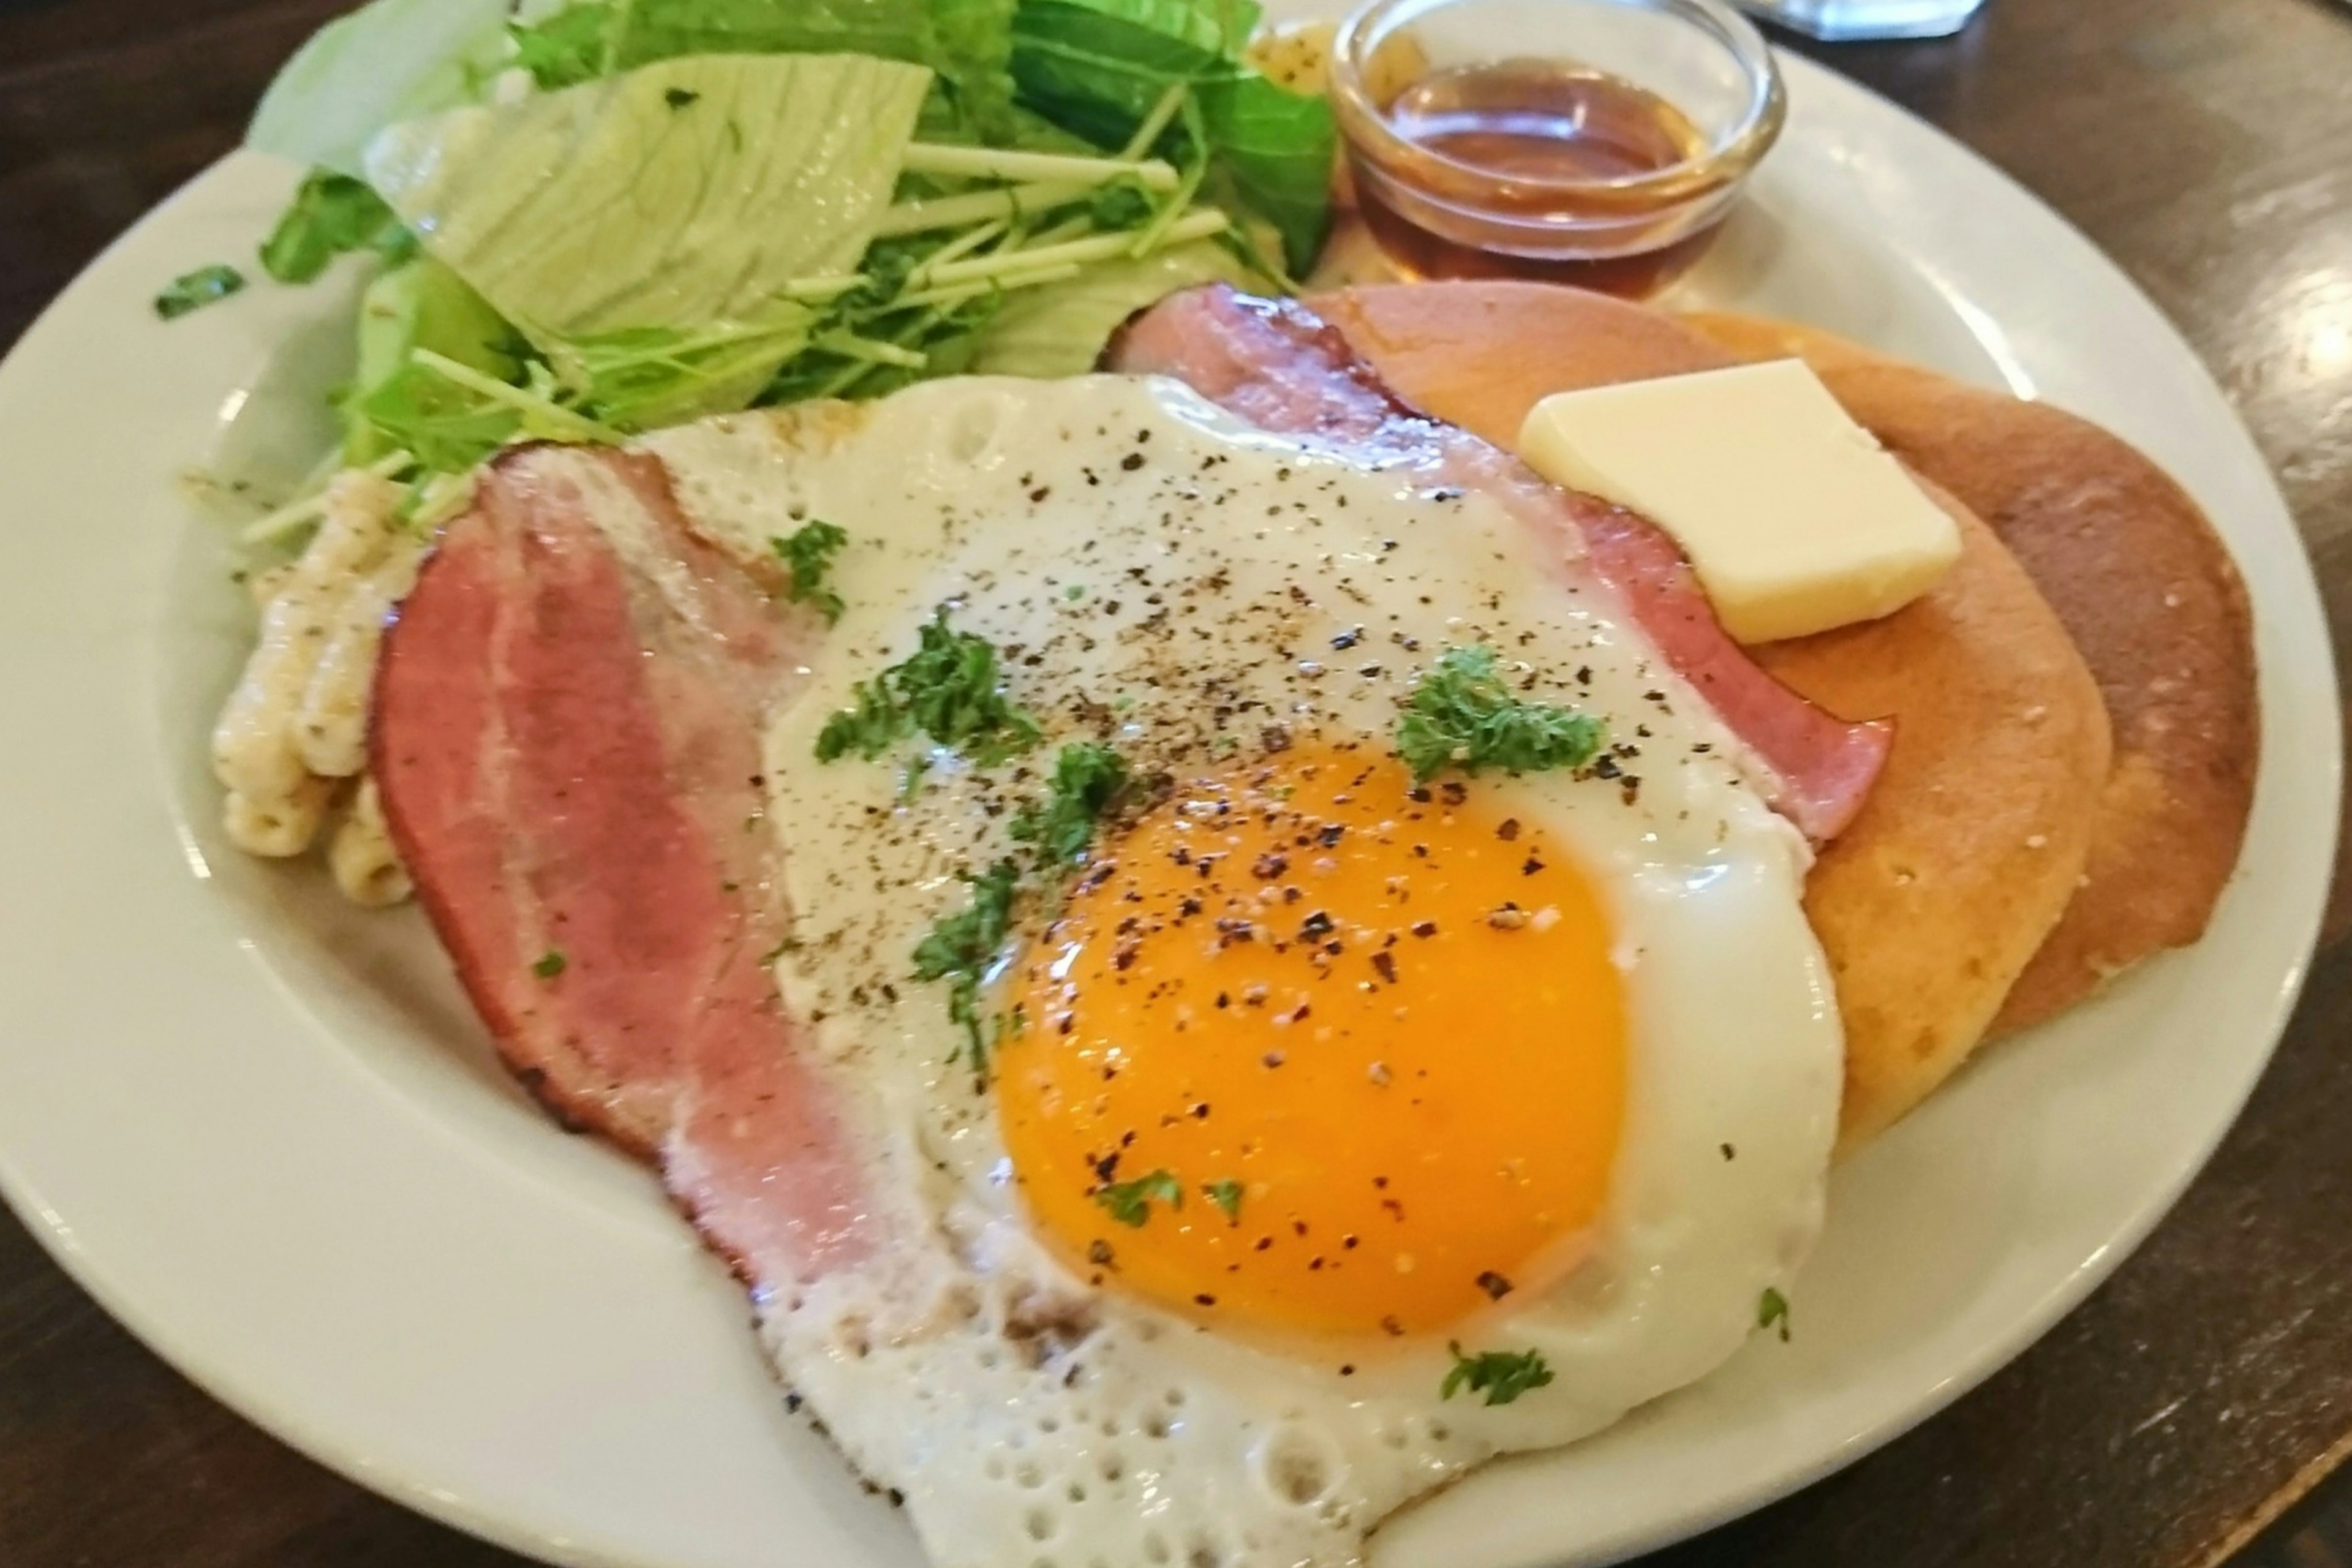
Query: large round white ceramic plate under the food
point(267, 1134)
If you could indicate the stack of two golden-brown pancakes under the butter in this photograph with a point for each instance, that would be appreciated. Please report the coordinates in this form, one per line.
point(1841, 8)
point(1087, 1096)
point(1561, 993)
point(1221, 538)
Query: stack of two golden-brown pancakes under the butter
point(2076, 713)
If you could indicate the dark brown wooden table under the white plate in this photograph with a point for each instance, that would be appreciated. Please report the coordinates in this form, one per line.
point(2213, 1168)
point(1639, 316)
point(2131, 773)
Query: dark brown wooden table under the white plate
point(2207, 145)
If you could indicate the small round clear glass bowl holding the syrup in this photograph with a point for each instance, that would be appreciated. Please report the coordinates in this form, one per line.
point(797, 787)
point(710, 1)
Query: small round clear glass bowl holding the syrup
point(1629, 234)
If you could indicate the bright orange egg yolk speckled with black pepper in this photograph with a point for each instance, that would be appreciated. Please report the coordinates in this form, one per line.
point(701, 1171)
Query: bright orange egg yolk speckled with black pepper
point(1311, 1050)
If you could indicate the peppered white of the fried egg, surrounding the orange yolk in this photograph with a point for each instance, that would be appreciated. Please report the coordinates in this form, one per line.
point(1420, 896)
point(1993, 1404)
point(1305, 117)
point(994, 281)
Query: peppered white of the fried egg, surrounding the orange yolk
point(1027, 1416)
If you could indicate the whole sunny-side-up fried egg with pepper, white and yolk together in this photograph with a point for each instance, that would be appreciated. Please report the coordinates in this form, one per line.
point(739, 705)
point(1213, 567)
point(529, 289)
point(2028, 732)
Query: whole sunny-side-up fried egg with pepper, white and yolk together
point(1321, 1134)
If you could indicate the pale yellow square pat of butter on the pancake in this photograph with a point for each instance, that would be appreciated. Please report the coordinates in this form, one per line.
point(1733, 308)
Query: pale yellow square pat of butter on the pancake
point(1791, 514)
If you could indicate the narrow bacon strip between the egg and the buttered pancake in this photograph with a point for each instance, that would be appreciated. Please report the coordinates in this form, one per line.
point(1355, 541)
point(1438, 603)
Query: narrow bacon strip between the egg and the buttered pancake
point(1285, 370)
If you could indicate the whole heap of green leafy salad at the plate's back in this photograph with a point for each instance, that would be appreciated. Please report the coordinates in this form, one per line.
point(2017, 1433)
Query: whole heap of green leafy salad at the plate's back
point(613, 215)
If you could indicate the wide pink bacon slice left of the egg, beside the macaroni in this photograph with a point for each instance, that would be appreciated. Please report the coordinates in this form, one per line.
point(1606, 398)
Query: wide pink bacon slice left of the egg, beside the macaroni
point(568, 728)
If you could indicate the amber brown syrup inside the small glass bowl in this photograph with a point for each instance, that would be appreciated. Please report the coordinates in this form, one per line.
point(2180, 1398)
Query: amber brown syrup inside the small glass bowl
point(1537, 168)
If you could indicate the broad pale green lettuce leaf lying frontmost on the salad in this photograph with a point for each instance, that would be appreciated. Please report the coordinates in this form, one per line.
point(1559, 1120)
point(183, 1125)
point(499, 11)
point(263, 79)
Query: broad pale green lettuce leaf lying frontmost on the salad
point(681, 194)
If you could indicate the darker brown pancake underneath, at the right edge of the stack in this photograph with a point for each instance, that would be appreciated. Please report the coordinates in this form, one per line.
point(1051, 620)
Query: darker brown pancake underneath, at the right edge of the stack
point(2149, 596)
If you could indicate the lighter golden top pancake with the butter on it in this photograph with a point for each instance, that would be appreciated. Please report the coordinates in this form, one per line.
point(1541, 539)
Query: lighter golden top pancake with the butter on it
point(1963, 862)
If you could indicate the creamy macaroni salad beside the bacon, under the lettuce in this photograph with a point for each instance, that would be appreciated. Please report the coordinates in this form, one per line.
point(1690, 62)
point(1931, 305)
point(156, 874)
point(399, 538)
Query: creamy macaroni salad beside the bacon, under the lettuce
point(295, 728)
